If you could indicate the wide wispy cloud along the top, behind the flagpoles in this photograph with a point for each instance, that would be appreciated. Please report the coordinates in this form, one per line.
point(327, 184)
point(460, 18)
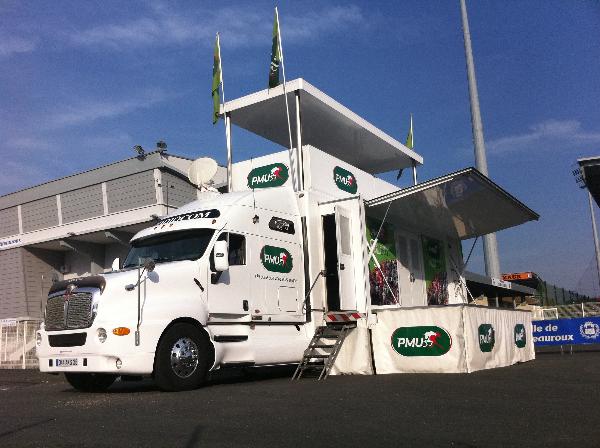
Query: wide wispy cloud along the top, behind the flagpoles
point(238, 27)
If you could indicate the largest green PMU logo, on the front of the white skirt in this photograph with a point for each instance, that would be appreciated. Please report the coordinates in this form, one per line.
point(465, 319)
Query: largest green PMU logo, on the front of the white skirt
point(421, 341)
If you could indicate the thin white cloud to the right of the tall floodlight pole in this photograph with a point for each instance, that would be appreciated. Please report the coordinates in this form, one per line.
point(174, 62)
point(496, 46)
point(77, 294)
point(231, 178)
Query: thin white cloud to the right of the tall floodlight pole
point(563, 131)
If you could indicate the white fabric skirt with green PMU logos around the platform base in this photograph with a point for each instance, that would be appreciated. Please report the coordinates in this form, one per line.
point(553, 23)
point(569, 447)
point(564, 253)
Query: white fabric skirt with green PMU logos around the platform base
point(439, 339)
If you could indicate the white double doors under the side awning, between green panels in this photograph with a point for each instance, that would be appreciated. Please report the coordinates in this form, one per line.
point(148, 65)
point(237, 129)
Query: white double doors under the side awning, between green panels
point(410, 269)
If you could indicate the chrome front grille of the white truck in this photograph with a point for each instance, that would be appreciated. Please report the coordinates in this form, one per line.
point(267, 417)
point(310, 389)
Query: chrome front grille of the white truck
point(69, 312)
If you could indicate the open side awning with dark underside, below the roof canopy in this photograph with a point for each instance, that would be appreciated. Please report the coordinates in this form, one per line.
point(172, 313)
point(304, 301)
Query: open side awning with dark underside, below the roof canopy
point(465, 204)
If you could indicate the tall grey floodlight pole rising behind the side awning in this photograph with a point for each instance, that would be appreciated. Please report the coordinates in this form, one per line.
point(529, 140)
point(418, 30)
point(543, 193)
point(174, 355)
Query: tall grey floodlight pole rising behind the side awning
point(490, 245)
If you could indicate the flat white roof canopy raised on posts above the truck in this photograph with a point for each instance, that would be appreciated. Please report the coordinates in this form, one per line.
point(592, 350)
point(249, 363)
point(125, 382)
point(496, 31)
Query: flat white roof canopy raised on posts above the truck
point(326, 125)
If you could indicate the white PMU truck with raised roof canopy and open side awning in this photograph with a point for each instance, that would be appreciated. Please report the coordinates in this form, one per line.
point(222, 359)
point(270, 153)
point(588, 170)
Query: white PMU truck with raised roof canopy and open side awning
point(246, 278)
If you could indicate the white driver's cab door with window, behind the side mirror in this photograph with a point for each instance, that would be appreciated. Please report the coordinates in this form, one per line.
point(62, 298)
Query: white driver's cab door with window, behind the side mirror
point(229, 292)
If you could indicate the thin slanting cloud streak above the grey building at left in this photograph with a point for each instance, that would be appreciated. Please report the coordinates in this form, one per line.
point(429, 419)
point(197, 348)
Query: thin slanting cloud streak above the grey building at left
point(86, 112)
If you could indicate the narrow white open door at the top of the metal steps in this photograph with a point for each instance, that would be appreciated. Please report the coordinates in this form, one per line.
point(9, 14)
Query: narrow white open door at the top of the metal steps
point(346, 260)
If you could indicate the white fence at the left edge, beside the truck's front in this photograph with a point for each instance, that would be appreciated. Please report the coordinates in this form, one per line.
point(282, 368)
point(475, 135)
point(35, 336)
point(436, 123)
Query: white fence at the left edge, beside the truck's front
point(17, 343)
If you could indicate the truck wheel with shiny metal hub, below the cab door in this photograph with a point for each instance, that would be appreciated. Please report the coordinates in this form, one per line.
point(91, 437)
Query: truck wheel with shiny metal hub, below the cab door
point(182, 359)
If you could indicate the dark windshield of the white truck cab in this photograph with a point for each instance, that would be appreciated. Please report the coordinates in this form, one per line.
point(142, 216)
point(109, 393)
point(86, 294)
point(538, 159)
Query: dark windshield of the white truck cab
point(172, 246)
